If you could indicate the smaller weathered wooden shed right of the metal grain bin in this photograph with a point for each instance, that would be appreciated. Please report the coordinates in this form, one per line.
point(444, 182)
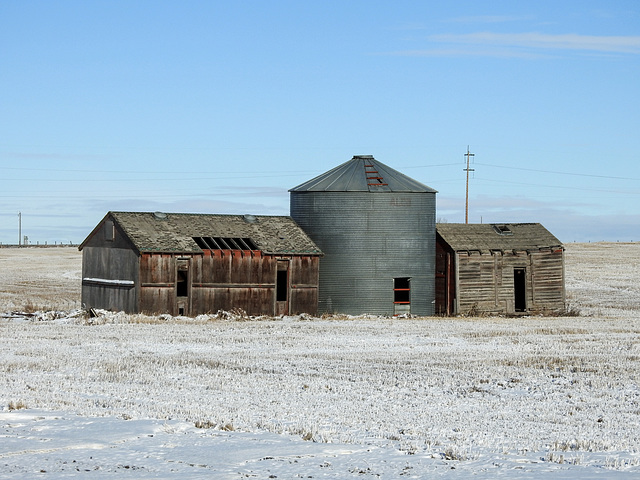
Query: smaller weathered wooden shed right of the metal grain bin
point(513, 268)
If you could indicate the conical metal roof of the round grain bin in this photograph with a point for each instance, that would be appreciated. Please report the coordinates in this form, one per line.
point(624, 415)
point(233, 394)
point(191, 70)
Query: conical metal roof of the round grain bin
point(363, 173)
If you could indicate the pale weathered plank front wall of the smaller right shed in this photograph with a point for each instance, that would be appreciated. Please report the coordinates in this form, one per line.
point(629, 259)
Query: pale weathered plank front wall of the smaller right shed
point(485, 282)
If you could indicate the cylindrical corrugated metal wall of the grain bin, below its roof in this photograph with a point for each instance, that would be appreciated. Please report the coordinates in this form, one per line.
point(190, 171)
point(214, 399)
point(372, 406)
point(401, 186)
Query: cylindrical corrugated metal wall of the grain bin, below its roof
point(368, 239)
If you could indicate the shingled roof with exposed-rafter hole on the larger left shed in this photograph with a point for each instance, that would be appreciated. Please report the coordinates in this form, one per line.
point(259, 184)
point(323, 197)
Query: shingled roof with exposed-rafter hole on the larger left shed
point(175, 232)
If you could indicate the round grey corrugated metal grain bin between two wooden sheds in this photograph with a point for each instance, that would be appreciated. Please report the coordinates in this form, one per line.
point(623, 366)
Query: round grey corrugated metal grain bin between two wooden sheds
point(376, 228)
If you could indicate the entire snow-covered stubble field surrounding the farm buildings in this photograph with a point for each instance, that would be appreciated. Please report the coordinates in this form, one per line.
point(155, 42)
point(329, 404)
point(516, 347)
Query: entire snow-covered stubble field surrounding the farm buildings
point(295, 397)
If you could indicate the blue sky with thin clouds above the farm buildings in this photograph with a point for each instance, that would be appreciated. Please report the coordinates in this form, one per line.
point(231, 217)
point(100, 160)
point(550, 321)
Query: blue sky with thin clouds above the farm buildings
point(223, 106)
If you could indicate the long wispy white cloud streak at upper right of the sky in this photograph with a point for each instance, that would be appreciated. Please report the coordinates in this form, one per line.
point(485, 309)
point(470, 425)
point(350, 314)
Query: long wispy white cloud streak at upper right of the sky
point(524, 45)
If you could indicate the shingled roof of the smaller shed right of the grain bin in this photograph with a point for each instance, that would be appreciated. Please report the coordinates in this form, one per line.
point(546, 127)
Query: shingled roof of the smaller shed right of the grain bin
point(490, 237)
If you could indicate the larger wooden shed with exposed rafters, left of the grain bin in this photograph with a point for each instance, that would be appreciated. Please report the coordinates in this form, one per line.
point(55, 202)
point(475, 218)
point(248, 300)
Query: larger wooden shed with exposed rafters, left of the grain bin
point(189, 264)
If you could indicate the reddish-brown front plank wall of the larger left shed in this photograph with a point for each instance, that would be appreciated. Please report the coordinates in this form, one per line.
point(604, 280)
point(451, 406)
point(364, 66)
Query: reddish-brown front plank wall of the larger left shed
point(224, 280)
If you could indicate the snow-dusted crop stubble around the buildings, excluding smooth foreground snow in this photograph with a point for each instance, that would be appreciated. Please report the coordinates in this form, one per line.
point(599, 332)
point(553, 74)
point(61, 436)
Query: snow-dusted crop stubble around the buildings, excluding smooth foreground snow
point(560, 385)
